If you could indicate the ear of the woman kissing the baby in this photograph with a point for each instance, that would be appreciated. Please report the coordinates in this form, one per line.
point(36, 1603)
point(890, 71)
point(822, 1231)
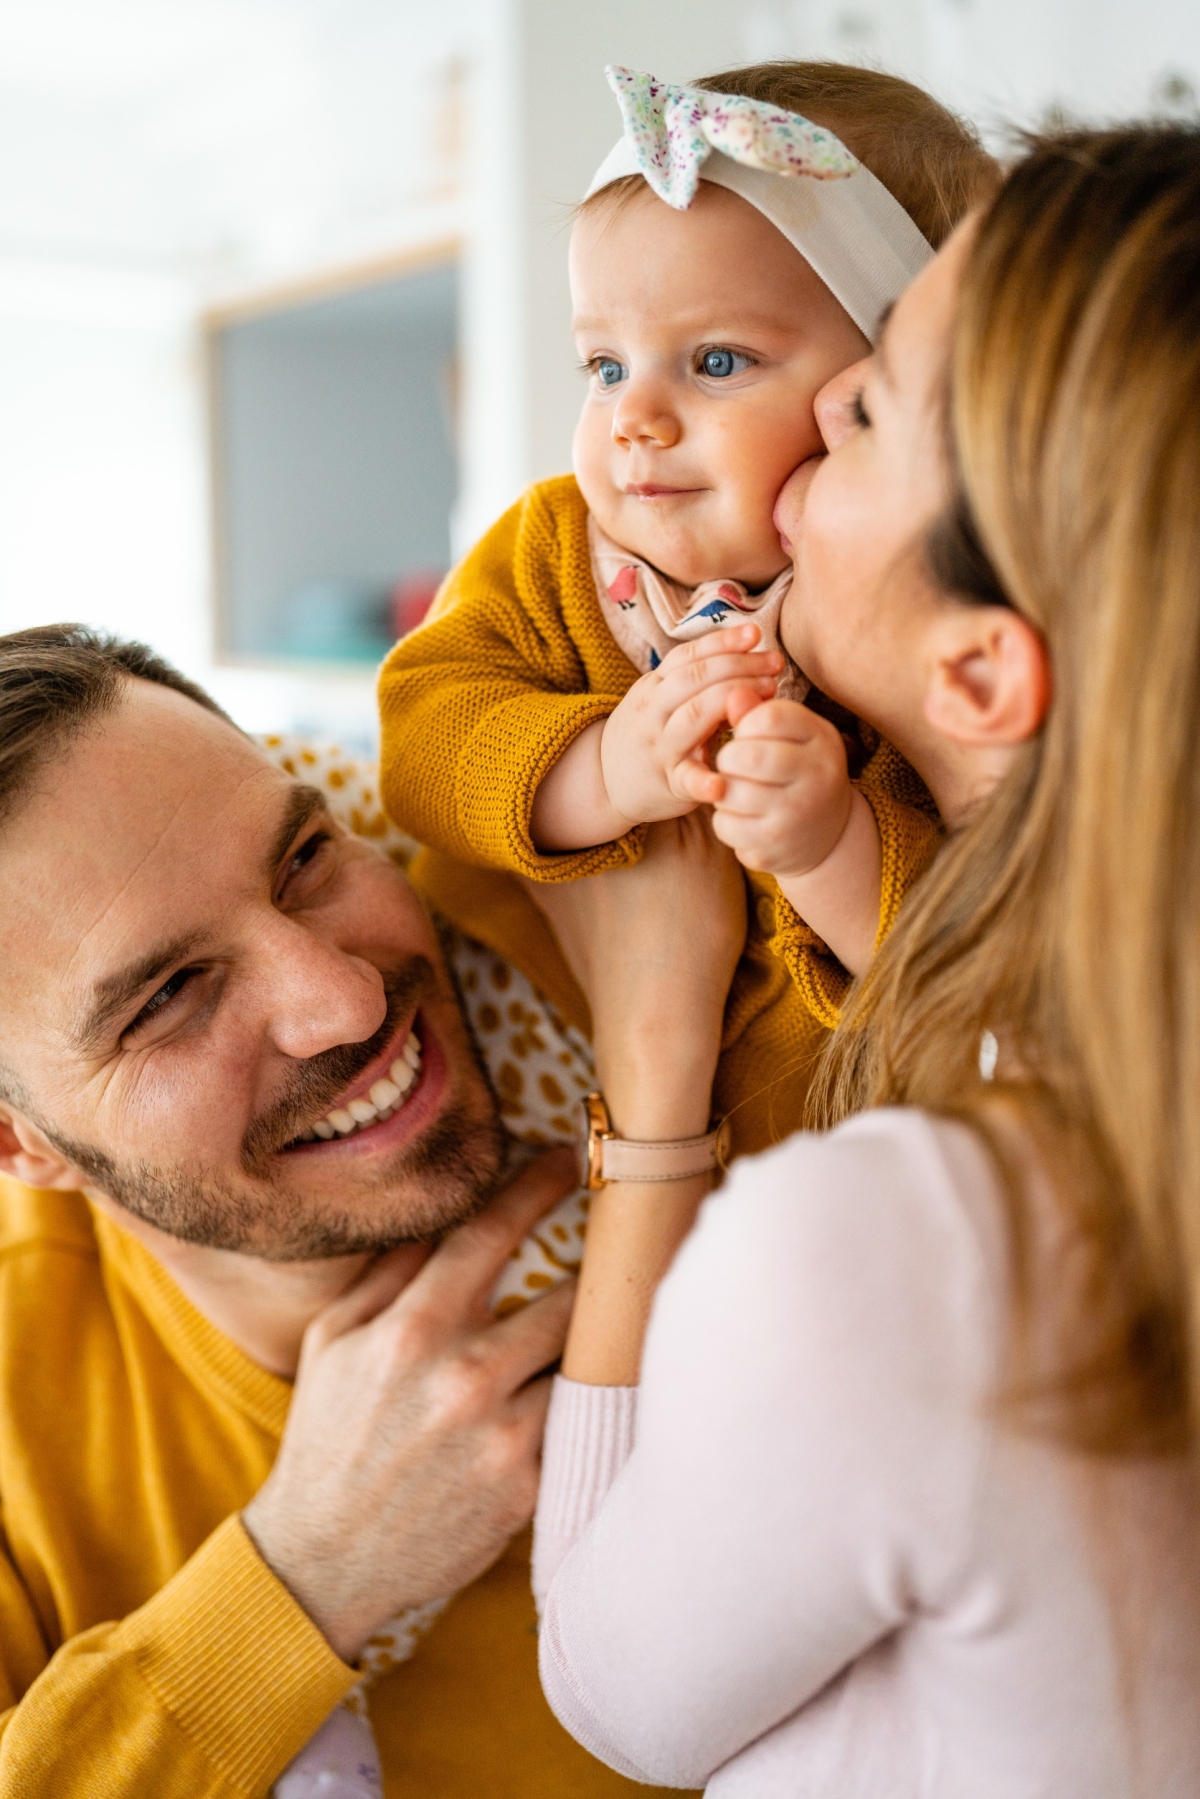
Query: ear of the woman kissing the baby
point(989, 677)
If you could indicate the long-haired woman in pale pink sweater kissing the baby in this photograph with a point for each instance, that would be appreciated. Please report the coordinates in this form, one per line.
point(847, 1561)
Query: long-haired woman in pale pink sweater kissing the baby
point(911, 1508)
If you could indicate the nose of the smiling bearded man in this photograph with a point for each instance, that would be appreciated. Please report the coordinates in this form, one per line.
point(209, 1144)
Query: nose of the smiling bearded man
point(318, 996)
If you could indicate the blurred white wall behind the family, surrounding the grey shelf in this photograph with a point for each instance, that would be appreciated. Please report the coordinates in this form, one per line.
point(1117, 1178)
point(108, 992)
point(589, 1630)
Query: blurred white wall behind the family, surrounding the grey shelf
point(161, 156)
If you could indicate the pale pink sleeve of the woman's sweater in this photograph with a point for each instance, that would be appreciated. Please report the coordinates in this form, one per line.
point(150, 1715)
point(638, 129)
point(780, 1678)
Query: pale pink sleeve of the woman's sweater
point(810, 1445)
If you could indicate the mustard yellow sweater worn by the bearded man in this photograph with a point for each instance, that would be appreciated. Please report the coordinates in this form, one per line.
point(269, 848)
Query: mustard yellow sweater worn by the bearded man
point(145, 1647)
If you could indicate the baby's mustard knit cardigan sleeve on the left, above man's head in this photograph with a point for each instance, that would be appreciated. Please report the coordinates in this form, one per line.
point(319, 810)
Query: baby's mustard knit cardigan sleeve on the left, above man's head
point(483, 699)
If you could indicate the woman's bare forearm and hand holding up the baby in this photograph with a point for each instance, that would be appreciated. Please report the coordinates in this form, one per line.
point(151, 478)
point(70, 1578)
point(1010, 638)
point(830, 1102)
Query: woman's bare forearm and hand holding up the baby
point(656, 951)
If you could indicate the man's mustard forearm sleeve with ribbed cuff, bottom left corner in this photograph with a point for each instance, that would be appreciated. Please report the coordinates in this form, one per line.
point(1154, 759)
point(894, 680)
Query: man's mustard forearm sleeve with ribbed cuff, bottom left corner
point(206, 1692)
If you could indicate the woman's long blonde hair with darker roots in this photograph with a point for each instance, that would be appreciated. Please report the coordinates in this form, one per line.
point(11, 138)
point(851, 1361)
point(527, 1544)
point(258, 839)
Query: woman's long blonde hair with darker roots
point(1066, 917)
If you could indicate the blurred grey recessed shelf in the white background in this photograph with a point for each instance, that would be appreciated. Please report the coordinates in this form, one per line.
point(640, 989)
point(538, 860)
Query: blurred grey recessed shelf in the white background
point(334, 425)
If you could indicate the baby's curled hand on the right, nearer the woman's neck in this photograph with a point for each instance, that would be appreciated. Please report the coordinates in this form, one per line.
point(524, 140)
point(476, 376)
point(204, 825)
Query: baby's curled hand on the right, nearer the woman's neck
point(782, 794)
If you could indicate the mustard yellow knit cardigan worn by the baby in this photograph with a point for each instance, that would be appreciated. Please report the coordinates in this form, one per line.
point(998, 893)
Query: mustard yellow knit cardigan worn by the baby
point(478, 704)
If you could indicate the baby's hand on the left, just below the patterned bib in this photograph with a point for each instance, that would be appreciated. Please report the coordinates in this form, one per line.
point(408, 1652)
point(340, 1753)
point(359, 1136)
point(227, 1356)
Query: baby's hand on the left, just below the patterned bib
point(672, 713)
